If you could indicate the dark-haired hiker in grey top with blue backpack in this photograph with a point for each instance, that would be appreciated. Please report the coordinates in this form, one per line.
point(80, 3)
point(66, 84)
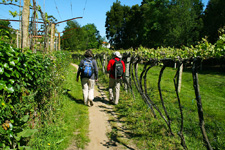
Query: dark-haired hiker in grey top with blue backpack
point(88, 72)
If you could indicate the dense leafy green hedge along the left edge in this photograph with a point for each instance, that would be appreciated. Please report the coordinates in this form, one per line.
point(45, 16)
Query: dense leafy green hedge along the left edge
point(23, 75)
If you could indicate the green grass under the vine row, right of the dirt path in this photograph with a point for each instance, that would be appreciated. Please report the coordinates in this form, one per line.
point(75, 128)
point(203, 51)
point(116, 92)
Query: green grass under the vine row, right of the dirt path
point(152, 133)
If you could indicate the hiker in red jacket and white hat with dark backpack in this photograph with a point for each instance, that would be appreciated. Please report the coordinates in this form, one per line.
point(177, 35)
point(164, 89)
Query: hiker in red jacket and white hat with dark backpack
point(116, 70)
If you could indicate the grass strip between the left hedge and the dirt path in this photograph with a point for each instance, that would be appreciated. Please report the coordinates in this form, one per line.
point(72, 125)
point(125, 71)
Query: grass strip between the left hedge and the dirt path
point(70, 121)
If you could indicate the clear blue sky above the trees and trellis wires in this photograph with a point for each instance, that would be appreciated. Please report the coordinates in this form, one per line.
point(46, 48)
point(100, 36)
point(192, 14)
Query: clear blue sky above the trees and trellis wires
point(91, 11)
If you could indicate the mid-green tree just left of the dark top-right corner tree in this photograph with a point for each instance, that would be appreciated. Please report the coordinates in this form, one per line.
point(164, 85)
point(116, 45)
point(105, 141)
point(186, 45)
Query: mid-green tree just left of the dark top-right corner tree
point(184, 22)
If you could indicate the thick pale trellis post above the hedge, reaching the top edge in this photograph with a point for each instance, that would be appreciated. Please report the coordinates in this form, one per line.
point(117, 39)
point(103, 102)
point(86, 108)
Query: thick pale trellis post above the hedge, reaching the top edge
point(25, 23)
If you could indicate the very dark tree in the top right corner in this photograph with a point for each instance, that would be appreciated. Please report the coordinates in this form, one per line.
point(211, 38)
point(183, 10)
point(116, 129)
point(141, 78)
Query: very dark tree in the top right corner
point(214, 19)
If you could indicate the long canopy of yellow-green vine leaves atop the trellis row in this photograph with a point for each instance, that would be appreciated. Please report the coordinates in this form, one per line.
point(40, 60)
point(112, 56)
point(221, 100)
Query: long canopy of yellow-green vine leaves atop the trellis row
point(203, 49)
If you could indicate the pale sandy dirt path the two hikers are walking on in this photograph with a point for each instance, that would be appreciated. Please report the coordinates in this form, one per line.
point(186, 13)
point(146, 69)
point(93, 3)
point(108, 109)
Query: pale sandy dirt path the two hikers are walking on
point(99, 124)
